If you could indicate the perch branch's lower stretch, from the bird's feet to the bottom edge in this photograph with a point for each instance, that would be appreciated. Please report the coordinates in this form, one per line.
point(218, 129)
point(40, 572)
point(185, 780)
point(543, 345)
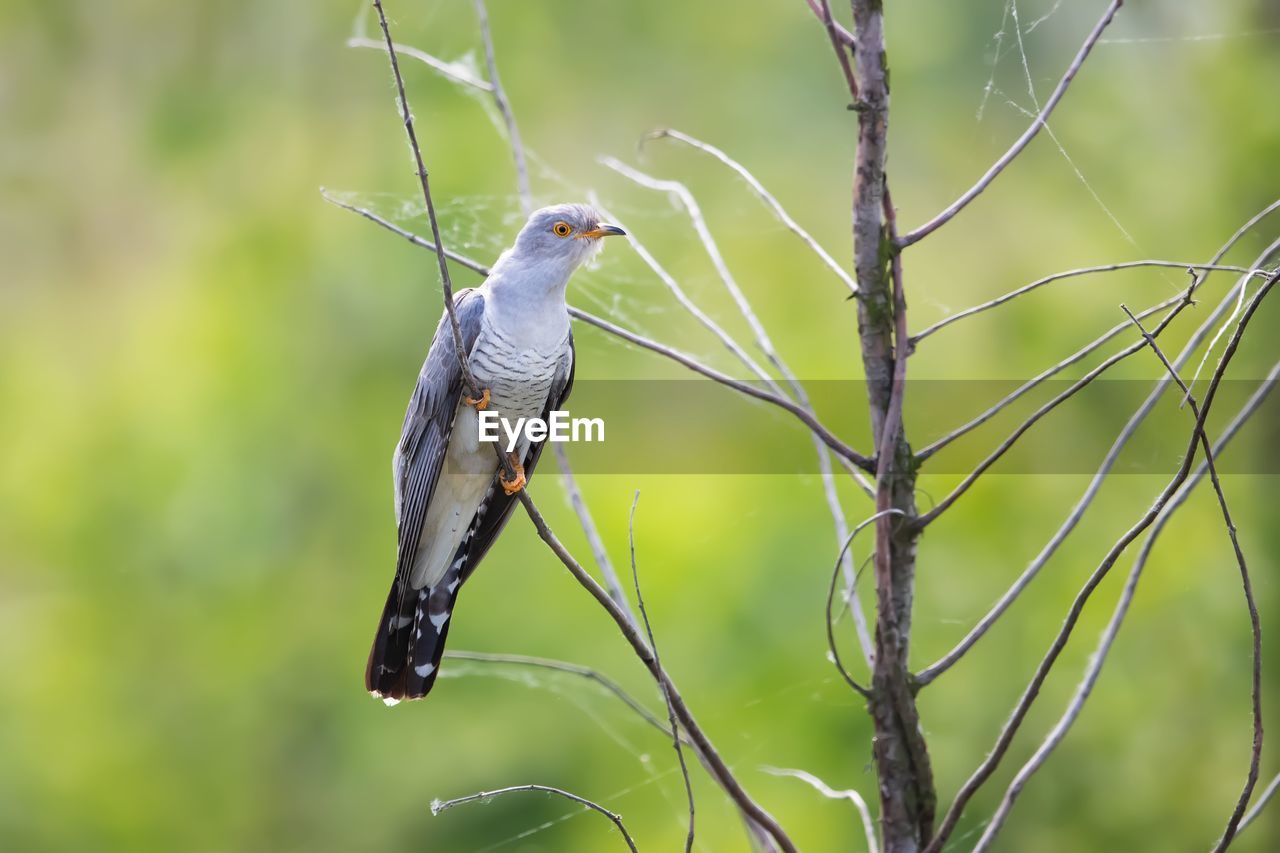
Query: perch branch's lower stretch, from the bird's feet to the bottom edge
point(711, 758)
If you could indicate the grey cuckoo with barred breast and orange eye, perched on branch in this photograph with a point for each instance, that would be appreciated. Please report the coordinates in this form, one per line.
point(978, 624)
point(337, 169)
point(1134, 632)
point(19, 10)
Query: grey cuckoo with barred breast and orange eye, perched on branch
point(452, 495)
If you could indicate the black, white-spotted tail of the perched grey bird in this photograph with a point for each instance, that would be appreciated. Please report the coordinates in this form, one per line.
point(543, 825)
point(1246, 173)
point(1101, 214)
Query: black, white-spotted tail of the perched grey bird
point(406, 655)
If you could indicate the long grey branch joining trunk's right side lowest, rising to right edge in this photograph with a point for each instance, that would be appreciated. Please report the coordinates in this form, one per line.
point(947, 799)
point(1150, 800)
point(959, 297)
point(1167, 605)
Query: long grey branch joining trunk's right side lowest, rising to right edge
point(1109, 462)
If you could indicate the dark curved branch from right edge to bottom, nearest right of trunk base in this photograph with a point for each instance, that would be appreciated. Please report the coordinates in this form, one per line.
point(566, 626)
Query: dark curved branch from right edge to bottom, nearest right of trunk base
point(989, 767)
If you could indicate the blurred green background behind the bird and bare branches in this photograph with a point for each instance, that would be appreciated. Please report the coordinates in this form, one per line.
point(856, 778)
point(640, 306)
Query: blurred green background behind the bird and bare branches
point(204, 368)
